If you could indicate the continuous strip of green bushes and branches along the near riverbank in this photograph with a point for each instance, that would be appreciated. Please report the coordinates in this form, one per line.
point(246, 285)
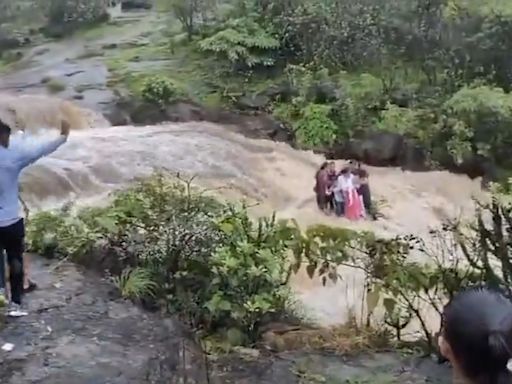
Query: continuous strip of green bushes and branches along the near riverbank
point(168, 245)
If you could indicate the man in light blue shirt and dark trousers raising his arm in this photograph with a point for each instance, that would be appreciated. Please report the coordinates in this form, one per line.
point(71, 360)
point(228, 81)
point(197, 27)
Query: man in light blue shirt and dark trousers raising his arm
point(12, 226)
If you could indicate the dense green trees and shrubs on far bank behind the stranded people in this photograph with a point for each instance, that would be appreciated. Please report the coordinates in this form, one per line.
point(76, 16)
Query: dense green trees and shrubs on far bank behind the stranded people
point(419, 68)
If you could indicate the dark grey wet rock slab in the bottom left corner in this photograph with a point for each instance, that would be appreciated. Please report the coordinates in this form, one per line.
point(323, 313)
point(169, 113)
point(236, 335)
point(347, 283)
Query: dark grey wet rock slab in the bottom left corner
point(77, 332)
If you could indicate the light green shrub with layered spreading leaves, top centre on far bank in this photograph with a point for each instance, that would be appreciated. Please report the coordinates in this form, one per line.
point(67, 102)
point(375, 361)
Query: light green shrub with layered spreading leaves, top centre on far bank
point(243, 43)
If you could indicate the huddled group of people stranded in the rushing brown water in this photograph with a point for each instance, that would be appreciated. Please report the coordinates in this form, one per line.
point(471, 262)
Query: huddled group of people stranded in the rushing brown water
point(345, 192)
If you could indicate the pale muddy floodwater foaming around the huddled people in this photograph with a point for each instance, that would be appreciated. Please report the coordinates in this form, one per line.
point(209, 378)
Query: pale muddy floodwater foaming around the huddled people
point(96, 161)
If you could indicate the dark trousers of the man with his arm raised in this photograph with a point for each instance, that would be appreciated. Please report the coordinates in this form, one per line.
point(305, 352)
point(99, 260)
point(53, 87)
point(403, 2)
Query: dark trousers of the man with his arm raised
point(12, 241)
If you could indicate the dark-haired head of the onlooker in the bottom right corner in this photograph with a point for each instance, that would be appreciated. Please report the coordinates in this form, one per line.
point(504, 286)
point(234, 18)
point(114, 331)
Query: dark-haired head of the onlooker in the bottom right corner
point(476, 336)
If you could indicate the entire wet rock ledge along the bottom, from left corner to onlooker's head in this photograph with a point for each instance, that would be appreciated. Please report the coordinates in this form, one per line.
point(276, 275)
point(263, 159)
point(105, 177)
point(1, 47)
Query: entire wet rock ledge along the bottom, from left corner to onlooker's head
point(79, 332)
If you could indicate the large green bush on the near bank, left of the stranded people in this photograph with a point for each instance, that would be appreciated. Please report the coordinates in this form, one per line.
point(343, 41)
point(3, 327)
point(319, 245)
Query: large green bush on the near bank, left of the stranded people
point(166, 244)
